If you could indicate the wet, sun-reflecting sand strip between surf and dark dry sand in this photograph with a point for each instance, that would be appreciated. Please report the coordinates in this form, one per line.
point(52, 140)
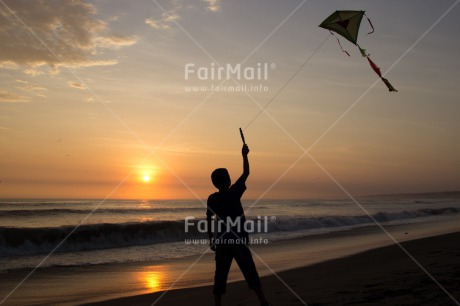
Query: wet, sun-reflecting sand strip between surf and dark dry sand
point(96, 283)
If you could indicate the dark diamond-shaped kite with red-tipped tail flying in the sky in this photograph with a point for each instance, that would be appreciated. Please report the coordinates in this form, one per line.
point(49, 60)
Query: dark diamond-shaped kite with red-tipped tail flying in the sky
point(346, 24)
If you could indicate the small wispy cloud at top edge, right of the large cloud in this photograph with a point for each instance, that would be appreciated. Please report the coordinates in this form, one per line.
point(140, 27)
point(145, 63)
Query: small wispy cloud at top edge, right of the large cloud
point(168, 17)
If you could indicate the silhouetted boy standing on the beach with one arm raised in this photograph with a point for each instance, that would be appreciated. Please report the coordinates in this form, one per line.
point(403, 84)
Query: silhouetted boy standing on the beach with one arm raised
point(231, 239)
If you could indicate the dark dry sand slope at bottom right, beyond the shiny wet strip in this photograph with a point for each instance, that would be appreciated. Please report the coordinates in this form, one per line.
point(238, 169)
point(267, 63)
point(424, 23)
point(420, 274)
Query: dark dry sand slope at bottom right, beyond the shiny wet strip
point(381, 276)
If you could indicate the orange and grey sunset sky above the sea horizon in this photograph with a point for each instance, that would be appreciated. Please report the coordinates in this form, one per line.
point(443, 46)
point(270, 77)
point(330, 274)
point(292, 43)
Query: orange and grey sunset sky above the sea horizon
point(123, 99)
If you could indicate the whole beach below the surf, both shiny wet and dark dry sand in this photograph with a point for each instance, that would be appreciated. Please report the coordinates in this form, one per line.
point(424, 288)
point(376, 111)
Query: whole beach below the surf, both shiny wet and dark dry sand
point(359, 266)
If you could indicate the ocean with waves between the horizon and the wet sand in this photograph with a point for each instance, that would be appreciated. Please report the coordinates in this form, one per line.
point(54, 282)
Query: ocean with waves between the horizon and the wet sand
point(54, 233)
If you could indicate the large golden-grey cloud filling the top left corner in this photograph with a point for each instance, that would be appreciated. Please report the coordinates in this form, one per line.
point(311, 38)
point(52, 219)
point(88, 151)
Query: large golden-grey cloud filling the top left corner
point(56, 33)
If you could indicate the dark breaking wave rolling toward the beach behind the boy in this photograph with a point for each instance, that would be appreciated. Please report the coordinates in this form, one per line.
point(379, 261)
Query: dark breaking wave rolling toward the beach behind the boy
point(31, 241)
